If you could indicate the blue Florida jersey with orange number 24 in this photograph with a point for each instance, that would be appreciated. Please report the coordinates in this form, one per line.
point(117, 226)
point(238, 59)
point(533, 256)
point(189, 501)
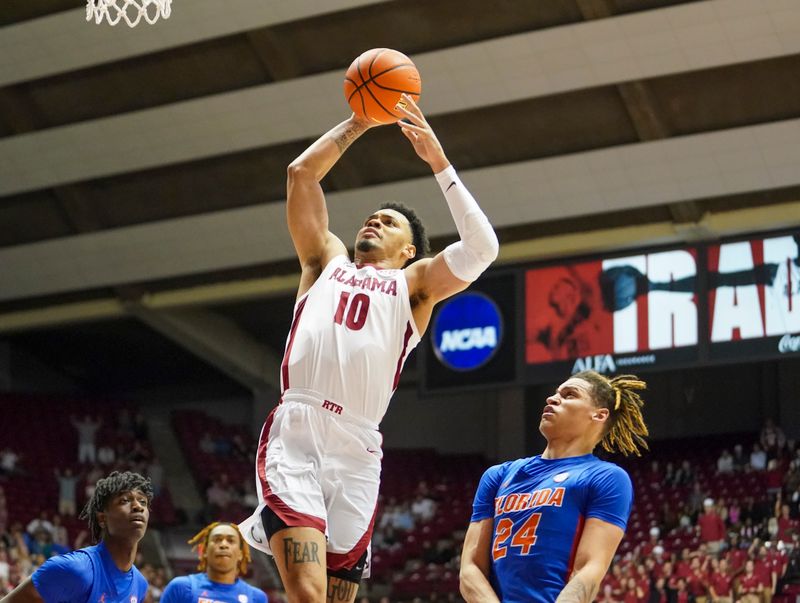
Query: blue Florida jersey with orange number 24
point(539, 507)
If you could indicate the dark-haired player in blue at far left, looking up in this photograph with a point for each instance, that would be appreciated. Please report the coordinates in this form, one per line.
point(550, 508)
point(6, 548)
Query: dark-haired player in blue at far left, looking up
point(117, 513)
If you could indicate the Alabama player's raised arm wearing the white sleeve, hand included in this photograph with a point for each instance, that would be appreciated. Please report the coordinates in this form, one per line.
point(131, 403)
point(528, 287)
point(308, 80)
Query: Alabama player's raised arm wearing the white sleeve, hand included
point(462, 262)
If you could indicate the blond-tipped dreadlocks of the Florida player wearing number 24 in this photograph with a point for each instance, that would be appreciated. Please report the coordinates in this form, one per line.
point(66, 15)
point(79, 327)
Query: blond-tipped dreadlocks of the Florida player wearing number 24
point(625, 429)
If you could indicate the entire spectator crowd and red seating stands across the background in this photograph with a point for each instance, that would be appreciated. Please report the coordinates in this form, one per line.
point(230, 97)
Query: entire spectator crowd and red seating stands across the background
point(719, 524)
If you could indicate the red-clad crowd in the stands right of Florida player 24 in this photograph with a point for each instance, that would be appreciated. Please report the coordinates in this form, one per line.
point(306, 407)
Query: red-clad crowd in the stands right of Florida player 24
point(734, 535)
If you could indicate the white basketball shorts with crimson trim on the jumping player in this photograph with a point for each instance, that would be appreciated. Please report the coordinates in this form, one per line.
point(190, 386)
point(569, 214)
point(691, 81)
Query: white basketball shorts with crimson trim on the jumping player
point(318, 467)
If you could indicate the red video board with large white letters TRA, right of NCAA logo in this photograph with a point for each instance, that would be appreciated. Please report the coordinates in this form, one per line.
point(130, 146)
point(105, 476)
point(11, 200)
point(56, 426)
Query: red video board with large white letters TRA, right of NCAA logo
point(666, 308)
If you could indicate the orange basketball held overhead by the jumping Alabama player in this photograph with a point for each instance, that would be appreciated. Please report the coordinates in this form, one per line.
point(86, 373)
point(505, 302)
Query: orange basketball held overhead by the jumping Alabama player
point(376, 79)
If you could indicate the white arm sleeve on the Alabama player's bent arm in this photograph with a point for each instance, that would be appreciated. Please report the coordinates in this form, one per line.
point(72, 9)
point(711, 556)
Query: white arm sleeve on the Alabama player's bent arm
point(478, 247)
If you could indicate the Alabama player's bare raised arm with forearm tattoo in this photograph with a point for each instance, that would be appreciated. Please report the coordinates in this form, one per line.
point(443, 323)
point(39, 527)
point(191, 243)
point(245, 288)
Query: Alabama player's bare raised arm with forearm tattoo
point(306, 212)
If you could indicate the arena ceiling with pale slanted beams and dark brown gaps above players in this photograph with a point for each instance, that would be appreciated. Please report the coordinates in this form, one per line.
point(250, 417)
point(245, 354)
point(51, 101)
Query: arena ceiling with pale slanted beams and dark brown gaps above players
point(142, 171)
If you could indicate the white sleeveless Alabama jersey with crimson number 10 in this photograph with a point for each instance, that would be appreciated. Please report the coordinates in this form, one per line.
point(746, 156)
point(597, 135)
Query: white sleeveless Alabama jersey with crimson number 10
point(351, 334)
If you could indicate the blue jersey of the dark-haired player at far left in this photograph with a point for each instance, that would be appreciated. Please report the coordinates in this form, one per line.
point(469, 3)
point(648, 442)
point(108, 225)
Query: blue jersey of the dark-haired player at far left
point(88, 576)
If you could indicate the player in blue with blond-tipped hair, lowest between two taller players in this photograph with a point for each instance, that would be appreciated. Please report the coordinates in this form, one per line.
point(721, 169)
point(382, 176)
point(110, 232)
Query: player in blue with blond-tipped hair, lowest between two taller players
point(224, 556)
